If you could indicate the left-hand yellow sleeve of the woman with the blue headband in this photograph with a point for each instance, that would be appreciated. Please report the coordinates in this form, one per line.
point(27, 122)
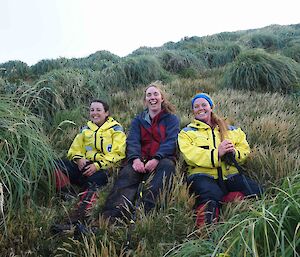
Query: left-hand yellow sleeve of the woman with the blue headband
point(195, 155)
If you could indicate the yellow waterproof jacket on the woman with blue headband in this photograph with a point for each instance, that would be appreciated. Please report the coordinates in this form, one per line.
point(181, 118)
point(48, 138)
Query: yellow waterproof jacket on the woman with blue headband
point(199, 143)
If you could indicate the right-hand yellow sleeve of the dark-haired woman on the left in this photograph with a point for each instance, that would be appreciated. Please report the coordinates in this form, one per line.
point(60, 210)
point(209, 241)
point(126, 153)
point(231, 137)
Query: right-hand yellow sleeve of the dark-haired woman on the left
point(117, 153)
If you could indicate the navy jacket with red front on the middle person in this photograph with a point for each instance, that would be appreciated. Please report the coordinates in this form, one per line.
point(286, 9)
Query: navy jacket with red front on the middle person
point(153, 139)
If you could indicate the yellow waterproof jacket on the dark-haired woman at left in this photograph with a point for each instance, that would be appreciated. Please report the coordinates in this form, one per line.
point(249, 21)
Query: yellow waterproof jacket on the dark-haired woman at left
point(104, 145)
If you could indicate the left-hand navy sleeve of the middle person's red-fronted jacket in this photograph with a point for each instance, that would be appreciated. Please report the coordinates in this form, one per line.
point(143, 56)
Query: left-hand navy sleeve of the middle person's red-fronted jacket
point(134, 149)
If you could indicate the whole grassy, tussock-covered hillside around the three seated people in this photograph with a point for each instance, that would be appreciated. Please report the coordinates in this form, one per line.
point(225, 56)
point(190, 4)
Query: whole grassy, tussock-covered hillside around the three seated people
point(253, 77)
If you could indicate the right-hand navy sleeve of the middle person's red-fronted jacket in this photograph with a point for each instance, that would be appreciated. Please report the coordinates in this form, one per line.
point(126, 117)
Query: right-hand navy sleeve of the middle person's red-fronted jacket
point(168, 147)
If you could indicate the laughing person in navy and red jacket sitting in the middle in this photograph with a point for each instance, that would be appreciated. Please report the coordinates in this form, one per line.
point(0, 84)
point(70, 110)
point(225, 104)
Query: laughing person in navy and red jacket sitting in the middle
point(151, 149)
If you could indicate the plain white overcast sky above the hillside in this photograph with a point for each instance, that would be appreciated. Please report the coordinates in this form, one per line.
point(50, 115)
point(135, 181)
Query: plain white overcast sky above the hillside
point(32, 30)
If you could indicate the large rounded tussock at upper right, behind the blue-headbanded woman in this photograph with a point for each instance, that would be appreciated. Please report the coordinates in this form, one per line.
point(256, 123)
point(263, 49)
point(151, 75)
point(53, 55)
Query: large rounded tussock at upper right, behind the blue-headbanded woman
point(259, 71)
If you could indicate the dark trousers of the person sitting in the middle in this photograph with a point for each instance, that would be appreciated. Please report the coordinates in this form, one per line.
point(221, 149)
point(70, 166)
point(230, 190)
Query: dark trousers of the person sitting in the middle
point(125, 188)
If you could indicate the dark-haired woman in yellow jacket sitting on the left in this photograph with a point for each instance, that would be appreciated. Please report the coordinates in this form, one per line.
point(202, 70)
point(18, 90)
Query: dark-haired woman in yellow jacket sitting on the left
point(99, 146)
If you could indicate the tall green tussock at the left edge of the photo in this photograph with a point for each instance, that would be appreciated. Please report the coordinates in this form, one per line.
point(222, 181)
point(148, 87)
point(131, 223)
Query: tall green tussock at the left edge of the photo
point(26, 156)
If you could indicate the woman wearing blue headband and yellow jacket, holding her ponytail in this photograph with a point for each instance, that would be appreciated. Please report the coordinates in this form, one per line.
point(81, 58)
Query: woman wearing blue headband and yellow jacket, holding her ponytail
point(213, 152)
